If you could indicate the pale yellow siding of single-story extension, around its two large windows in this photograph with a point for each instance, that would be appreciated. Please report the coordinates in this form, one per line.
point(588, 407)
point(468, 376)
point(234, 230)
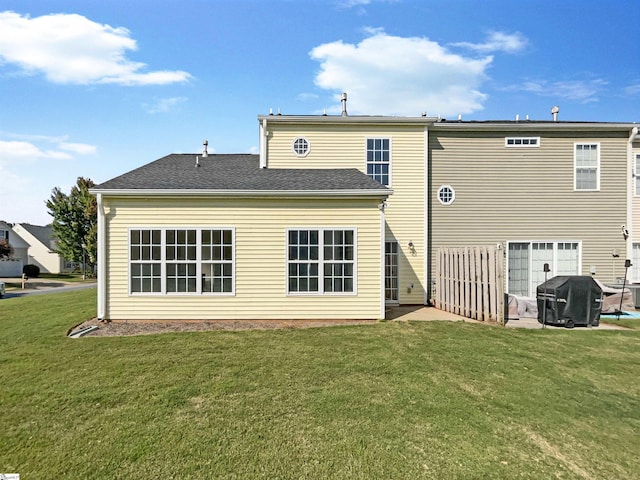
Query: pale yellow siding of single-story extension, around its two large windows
point(260, 255)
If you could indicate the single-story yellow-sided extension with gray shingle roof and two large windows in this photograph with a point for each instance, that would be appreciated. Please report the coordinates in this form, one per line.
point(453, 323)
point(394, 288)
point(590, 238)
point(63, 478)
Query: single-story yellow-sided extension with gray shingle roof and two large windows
point(217, 237)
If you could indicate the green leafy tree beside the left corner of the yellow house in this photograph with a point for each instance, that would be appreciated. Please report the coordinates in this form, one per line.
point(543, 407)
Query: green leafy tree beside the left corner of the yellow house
point(75, 222)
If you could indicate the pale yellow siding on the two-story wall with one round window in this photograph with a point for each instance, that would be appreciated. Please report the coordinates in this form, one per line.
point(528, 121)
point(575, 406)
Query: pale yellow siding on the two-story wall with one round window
point(344, 146)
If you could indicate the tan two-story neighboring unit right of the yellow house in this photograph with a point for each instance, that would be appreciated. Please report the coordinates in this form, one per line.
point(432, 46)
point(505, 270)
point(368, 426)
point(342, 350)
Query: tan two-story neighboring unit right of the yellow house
point(548, 192)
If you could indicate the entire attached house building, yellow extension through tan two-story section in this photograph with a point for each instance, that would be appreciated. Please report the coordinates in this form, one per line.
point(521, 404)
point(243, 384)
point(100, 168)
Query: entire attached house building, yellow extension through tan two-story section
point(305, 230)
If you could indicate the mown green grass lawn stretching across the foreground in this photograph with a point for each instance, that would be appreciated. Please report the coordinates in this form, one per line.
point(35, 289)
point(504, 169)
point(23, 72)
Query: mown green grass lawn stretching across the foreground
point(393, 400)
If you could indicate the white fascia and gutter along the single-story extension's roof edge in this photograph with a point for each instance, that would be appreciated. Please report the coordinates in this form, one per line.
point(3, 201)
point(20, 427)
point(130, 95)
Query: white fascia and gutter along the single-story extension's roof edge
point(242, 193)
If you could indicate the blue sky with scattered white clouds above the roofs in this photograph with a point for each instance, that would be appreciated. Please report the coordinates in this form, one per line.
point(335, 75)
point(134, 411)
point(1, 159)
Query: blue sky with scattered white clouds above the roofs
point(95, 88)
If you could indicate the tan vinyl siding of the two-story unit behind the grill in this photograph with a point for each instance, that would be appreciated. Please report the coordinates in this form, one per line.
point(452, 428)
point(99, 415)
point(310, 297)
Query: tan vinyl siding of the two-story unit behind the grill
point(511, 194)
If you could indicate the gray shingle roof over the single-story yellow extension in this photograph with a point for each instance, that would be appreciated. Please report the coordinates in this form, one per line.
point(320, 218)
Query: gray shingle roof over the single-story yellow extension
point(236, 172)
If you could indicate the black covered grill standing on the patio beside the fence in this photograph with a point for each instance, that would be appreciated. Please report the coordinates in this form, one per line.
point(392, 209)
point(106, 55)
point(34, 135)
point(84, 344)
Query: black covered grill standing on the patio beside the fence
point(569, 300)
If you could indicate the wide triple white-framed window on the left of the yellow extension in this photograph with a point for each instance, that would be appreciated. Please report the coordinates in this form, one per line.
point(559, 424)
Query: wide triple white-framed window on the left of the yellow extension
point(176, 260)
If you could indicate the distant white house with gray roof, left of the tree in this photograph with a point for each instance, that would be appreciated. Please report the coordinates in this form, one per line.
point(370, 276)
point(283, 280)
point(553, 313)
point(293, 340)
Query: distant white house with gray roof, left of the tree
point(41, 250)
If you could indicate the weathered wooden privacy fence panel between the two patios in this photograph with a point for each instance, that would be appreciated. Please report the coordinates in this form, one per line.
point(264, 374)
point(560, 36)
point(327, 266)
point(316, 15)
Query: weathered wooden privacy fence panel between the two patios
point(470, 282)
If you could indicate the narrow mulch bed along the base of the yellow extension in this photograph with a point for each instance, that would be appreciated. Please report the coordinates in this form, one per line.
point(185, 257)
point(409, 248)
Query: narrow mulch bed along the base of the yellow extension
point(149, 327)
